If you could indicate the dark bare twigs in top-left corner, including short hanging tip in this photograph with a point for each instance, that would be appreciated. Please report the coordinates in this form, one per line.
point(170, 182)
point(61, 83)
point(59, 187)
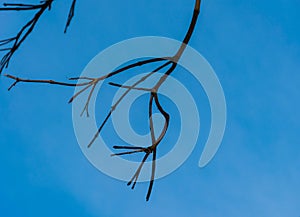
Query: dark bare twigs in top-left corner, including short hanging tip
point(11, 45)
